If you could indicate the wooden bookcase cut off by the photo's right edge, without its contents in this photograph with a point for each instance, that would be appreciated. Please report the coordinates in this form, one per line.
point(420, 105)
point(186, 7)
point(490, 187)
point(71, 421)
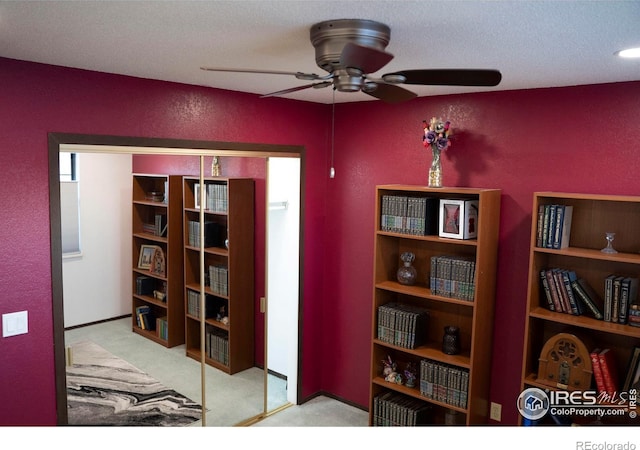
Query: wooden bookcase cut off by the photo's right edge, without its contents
point(593, 216)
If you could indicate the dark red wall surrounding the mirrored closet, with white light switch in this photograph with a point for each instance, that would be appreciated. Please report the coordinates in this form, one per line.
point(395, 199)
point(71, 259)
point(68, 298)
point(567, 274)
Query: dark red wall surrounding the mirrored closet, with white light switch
point(39, 99)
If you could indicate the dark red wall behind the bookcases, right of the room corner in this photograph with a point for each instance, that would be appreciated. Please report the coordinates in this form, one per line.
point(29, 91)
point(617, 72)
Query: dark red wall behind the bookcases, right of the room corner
point(577, 139)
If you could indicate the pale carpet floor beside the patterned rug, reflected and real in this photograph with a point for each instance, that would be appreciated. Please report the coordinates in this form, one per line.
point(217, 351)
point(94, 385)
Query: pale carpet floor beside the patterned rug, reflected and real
point(229, 399)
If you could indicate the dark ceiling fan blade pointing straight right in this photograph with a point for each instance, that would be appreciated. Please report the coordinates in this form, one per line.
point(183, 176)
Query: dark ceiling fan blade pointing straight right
point(449, 77)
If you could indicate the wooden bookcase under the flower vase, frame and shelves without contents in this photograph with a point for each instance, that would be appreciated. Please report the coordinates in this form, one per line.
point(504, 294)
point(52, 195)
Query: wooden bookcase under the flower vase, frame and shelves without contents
point(473, 316)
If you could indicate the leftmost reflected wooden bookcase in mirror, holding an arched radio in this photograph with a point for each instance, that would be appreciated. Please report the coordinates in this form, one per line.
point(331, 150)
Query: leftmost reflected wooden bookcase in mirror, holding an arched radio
point(157, 305)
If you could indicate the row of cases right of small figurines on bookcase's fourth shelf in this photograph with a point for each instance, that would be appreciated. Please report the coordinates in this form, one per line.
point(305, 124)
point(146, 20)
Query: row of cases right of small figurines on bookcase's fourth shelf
point(444, 383)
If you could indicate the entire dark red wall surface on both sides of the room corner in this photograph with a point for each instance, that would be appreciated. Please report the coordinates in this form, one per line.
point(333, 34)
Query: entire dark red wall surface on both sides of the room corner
point(579, 139)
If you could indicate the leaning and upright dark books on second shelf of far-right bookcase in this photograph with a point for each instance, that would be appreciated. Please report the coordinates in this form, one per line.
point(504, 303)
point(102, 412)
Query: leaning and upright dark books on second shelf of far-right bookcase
point(565, 292)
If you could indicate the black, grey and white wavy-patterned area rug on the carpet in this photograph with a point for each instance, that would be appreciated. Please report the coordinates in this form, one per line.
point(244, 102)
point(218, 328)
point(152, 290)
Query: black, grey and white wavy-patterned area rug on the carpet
point(104, 390)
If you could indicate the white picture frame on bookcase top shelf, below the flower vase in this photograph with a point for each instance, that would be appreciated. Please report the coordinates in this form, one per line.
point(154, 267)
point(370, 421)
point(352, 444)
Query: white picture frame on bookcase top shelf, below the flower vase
point(458, 219)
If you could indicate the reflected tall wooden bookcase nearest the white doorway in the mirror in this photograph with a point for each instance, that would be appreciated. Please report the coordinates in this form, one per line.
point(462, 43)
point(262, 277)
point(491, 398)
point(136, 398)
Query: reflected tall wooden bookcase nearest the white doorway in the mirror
point(228, 269)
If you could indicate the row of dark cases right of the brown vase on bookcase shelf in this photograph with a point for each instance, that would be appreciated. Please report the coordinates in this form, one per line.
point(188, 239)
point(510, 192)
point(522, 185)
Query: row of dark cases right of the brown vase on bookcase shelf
point(453, 276)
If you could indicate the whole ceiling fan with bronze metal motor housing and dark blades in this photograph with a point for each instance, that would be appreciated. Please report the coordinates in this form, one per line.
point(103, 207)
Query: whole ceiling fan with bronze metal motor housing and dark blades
point(352, 49)
